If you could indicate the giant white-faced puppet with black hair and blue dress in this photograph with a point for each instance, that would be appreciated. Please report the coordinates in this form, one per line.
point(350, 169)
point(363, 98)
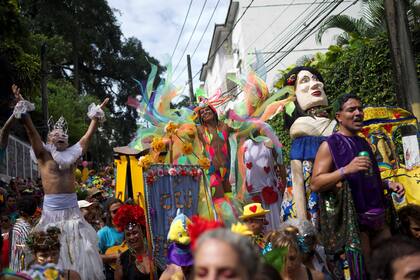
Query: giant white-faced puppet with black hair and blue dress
point(308, 127)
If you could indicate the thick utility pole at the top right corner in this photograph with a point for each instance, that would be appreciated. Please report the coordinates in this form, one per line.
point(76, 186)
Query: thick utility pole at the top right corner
point(402, 55)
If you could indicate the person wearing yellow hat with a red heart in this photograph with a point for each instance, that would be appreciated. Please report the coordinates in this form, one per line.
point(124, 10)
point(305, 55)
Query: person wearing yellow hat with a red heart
point(254, 218)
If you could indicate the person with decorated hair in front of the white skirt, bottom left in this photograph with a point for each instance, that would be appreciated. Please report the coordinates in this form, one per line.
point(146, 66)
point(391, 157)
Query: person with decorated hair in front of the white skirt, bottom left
point(45, 247)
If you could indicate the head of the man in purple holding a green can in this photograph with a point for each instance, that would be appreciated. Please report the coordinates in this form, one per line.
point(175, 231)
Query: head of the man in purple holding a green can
point(350, 117)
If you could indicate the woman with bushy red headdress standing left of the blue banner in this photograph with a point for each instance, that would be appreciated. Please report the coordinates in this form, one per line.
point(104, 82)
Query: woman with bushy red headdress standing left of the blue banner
point(136, 262)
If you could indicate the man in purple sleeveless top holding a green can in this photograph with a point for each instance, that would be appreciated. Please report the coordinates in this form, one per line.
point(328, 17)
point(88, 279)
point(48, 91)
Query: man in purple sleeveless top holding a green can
point(338, 162)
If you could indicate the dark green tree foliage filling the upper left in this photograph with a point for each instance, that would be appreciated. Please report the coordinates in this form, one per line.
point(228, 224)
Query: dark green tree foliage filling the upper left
point(86, 58)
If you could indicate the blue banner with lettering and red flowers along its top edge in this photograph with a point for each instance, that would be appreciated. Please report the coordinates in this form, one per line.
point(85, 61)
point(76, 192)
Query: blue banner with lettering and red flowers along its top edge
point(168, 188)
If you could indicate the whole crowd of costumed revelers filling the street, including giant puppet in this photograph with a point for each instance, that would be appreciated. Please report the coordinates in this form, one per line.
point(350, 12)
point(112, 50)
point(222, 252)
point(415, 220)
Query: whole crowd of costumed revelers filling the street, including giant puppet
point(344, 225)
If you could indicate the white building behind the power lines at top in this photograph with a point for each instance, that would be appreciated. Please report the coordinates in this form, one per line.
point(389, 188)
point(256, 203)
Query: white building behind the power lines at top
point(272, 28)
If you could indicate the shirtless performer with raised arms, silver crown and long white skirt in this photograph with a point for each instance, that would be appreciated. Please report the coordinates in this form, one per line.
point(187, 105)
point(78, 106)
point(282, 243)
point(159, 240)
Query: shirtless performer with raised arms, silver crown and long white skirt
point(56, 162)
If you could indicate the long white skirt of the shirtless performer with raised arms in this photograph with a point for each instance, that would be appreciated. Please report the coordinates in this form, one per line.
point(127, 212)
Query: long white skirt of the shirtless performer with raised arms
point(79, 242)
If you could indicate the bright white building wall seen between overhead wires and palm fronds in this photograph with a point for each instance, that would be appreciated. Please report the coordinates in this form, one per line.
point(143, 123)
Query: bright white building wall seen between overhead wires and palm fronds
point(248, 37)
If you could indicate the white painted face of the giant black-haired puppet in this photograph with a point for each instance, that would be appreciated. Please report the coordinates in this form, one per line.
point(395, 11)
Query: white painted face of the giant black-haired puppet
point(309, 91)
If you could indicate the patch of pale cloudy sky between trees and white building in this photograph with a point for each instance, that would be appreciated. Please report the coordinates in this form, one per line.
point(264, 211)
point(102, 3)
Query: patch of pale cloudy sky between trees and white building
point(157, 24)
